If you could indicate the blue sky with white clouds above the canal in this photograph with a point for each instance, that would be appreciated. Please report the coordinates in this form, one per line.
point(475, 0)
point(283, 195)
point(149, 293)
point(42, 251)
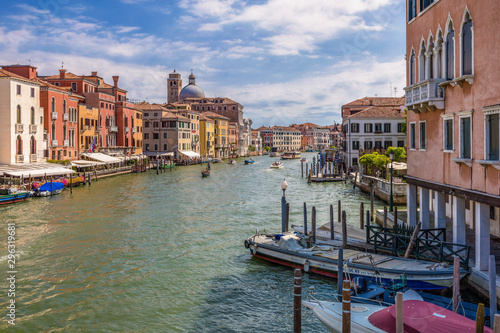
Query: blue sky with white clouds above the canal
point(285, 61)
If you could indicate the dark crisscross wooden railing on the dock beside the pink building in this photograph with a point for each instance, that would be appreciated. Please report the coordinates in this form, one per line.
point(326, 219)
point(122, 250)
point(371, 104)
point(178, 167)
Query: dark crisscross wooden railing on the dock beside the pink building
point(429, 244)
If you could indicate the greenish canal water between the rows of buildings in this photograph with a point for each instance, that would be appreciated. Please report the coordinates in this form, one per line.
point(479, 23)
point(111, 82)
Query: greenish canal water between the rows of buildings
point(164, 253)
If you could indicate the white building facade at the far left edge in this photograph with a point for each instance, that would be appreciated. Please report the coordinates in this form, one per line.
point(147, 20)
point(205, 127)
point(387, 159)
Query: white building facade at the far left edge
point(21, 120)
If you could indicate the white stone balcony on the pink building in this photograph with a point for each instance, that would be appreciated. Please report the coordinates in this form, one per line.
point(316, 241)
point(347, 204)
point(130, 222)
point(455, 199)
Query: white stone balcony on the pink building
point(425, 96)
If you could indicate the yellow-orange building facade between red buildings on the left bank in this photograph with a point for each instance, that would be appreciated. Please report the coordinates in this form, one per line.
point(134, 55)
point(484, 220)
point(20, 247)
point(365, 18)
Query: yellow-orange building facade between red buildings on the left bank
point(87, 129)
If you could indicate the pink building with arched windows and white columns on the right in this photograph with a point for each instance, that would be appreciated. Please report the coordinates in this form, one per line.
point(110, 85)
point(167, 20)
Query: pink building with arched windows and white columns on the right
point(453, 105)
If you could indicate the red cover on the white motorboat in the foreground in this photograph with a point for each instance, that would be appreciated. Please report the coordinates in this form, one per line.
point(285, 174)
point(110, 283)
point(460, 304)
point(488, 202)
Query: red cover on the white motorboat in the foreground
point(421, 316)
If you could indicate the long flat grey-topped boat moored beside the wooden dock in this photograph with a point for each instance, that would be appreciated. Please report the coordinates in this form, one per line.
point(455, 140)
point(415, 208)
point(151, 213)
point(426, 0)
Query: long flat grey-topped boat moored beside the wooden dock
point(291, 249)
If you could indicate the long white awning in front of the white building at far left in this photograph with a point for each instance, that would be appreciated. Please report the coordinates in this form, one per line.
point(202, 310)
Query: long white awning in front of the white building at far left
point(34, 169)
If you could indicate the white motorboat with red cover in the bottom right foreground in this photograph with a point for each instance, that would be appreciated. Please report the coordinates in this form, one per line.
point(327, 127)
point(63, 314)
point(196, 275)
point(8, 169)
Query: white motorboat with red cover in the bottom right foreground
point(418, 316)
